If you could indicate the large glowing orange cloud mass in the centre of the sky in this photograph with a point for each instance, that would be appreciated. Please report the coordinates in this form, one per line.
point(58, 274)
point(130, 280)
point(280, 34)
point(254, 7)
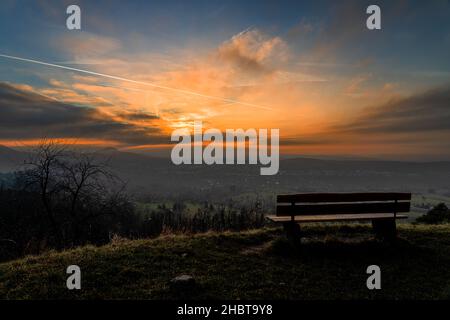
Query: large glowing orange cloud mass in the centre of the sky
point(252, 67)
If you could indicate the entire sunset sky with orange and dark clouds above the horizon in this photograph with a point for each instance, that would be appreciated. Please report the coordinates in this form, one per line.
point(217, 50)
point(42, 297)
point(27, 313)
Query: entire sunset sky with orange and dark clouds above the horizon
point(308, 68)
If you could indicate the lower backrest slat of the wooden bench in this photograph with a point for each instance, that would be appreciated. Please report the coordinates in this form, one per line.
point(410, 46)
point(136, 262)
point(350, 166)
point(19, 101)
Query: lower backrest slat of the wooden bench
point(342, 208)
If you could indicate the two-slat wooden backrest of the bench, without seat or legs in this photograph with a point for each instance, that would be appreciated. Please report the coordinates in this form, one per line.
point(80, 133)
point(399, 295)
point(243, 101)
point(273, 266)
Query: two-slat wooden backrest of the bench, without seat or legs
point(342, 203)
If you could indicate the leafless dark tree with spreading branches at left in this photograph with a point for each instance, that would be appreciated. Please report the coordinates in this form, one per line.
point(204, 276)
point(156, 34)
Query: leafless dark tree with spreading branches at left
point(74, 188)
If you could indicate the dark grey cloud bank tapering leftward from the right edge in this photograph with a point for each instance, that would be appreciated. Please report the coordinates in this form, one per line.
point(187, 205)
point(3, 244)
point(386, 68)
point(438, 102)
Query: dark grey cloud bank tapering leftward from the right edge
point(424, 112)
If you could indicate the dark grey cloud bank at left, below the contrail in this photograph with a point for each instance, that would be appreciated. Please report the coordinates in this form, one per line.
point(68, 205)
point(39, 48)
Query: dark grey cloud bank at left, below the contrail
point(26, 115)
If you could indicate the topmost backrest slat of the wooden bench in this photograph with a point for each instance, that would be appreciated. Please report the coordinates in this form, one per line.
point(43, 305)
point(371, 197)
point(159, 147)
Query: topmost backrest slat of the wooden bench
point(343, 197)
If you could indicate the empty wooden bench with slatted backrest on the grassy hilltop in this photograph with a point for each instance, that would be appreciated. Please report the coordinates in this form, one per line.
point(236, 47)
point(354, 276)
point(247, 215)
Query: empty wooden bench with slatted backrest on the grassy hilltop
point(381, 208)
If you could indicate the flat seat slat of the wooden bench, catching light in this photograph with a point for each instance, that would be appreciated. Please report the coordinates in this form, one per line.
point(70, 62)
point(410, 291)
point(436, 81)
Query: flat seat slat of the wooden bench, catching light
point(341, 217)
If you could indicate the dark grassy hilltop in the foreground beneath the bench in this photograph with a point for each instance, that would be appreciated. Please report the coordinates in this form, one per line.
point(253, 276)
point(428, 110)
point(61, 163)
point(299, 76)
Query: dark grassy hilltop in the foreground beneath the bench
point(257, 264)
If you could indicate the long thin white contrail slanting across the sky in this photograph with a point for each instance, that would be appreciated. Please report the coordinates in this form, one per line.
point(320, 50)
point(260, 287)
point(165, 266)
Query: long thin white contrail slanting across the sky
point(187, 92)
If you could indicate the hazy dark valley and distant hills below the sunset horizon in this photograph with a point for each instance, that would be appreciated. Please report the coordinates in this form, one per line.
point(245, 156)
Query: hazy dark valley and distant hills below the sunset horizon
point(147, 175)
